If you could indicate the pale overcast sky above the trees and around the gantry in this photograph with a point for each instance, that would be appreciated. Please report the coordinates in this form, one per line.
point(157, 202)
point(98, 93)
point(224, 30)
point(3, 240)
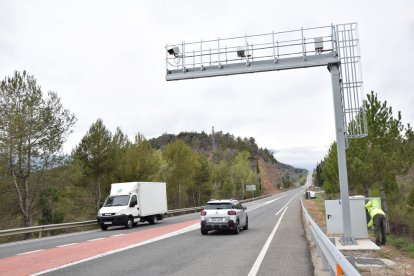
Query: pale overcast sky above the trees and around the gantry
point(106, 59)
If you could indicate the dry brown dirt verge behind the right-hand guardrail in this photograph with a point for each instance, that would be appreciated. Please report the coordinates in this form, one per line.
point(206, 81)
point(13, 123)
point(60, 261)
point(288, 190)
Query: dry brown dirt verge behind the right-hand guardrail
point(404, 264)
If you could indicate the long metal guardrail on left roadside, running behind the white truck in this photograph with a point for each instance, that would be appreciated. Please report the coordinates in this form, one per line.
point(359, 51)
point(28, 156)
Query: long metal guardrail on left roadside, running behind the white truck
point(50, 227)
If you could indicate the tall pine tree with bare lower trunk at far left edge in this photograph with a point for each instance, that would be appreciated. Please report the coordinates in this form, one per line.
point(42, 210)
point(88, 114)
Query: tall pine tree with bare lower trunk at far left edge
point(33, 129)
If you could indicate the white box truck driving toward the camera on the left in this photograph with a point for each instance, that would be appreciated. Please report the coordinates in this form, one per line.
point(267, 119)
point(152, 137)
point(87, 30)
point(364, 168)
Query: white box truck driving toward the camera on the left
point(133, 202)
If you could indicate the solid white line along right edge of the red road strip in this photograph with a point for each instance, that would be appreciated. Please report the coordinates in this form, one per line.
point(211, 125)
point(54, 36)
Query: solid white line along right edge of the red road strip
point(172, 234)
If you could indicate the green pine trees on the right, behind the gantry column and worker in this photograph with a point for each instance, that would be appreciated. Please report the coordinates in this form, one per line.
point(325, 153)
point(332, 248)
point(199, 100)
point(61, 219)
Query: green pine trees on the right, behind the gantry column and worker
point(374, 164)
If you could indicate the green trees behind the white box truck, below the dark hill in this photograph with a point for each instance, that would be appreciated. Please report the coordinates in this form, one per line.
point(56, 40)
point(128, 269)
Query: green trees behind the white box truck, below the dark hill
point(191, 176)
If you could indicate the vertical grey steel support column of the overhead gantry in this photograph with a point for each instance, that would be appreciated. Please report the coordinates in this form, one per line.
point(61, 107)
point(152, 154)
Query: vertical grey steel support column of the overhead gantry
point(347, 238)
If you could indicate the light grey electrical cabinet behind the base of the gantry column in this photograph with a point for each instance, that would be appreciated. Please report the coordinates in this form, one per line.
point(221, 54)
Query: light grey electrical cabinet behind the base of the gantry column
point(333, 213)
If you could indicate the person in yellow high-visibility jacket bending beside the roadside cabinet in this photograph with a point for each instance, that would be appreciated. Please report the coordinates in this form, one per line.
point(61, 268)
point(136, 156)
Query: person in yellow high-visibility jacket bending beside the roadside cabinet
point(378, 220)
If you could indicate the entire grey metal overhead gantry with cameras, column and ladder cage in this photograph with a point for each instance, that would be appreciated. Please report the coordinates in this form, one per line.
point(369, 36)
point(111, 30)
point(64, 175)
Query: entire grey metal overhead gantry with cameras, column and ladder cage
point(334, 46)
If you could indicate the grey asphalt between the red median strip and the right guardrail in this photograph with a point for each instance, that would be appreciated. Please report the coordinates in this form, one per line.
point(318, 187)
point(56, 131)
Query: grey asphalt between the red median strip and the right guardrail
point(219, 253)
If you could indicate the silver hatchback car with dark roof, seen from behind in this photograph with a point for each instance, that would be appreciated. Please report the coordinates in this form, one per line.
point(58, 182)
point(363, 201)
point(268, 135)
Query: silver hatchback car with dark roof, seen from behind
point(225, 214)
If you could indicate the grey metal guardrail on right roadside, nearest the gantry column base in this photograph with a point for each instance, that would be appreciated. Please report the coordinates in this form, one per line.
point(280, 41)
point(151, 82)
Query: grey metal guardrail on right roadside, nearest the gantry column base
point(332, 258)
